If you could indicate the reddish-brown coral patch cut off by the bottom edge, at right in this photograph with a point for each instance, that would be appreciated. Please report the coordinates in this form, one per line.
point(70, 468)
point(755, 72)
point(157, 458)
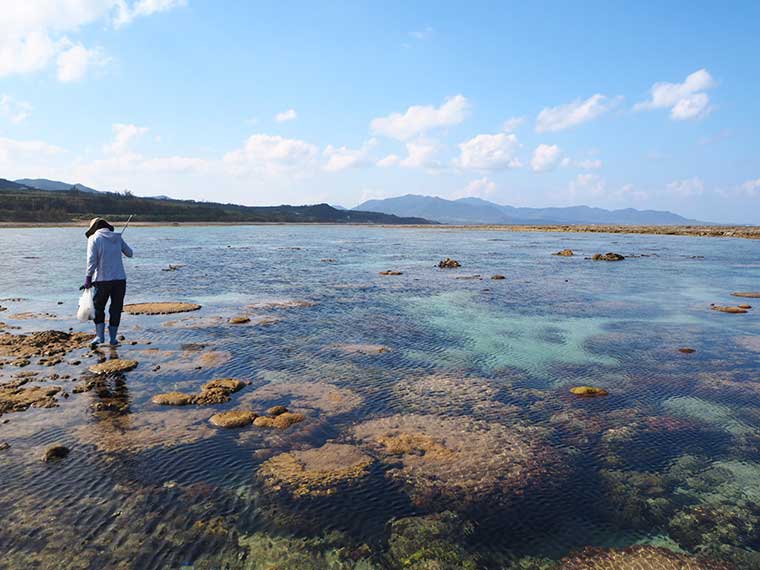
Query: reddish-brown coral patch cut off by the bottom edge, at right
point(638, 558)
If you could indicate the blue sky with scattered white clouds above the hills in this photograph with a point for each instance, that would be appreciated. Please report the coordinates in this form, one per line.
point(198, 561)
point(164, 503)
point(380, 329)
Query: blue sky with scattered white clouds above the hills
point(650, 105)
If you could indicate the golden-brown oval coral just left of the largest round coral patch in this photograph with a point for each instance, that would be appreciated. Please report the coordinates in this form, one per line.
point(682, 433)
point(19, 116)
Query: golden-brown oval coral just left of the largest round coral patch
point(315, 472)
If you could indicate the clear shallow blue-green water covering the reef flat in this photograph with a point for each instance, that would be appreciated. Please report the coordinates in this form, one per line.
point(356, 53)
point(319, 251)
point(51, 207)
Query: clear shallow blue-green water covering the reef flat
point(477, 364)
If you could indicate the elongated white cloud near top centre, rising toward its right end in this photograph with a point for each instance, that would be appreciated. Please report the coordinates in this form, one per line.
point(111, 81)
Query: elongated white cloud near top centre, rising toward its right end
point(421, 119)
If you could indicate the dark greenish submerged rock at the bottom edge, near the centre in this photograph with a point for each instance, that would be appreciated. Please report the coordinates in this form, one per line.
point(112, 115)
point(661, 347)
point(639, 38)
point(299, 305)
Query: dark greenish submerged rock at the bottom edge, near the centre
point(431, 542)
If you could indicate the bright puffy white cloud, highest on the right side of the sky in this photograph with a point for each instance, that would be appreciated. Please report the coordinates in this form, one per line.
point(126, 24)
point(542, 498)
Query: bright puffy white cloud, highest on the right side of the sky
point(685, 100)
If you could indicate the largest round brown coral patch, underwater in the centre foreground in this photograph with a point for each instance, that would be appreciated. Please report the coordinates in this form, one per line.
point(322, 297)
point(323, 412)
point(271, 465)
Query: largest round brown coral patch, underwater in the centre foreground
point(446, 462)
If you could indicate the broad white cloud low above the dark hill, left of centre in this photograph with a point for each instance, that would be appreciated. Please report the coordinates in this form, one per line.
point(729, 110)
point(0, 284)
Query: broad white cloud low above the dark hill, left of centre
point(271, 155)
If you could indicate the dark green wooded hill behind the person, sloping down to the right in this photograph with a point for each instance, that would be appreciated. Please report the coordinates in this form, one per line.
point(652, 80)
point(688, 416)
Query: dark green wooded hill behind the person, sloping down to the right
point(19, 203)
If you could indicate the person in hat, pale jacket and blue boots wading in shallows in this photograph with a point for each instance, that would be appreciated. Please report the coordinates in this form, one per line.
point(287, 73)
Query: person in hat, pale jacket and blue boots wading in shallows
point(105, 272)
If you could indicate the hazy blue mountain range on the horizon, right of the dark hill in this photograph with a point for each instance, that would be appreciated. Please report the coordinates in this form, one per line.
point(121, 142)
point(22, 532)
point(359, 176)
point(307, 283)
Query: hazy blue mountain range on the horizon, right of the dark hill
point(478, 211)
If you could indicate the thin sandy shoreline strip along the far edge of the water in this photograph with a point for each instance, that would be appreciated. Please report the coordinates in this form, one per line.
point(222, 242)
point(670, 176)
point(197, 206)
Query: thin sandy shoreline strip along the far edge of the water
point(747, 232)
